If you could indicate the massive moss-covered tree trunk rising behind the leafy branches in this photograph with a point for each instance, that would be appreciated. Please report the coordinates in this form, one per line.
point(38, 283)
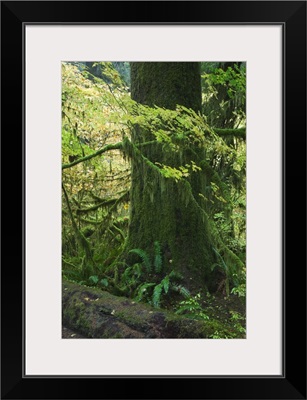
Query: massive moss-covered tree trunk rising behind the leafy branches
point(162, 209)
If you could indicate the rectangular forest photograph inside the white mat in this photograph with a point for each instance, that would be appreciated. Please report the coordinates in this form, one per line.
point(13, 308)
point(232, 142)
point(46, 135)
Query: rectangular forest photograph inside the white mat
point(153, 200)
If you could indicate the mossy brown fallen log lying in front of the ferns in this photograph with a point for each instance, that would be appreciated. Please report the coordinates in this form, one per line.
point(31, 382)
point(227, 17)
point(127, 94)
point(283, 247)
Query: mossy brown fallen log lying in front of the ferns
point(98, 314)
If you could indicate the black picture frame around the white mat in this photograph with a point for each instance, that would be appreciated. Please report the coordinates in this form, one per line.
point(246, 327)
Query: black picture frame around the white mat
point(292, 383)
